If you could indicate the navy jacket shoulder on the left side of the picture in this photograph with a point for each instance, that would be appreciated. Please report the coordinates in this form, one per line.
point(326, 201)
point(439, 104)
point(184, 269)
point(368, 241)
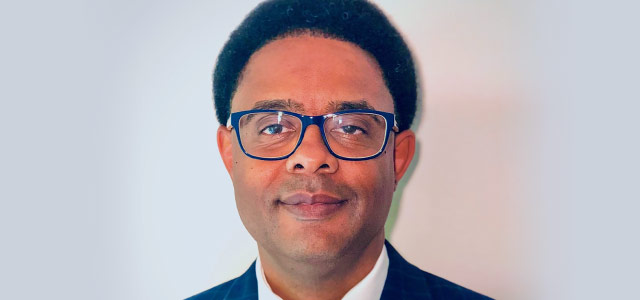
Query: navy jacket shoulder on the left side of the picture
point(240, 288)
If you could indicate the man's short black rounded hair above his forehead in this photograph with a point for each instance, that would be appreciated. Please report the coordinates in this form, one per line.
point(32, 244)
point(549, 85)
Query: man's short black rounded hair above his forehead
point(356, 21)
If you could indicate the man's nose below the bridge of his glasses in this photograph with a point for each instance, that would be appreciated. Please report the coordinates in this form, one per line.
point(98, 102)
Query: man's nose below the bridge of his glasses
point(312, 156)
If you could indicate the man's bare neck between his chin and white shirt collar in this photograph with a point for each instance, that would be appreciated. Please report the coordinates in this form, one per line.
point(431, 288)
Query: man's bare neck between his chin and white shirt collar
point(291, 279)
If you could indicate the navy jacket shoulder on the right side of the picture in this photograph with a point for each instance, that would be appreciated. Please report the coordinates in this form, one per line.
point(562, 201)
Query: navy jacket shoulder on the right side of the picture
point(406, 281)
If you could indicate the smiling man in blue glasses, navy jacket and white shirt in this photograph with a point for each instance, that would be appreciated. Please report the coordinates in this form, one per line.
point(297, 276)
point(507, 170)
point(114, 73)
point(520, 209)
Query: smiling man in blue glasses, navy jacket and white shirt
point(318, 98)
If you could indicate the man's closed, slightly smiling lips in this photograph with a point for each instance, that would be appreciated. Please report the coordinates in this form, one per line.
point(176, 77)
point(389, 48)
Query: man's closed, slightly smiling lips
point(306, 207)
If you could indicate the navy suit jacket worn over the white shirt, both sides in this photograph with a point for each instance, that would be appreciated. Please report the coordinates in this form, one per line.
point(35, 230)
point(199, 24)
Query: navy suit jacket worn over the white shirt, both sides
point(404, 281)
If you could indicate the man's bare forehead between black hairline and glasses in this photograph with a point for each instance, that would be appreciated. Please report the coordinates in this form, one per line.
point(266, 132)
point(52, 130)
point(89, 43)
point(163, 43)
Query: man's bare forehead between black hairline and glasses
point(314, 74)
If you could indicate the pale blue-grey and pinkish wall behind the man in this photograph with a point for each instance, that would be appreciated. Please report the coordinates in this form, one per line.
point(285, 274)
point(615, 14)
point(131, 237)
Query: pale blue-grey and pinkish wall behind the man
point(524, 186)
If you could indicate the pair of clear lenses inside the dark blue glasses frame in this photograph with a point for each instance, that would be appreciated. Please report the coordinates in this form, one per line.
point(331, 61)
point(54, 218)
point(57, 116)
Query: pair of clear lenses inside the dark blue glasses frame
point(274, 134)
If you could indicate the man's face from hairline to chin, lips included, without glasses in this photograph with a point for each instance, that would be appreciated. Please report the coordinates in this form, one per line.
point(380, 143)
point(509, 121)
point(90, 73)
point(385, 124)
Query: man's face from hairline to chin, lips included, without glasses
point(311, 206)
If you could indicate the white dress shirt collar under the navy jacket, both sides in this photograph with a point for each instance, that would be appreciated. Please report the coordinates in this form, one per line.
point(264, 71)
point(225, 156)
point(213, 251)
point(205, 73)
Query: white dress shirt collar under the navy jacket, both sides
point(370, 287)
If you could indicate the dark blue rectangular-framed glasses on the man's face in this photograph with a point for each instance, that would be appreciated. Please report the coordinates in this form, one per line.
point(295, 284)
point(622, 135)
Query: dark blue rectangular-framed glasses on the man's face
point(359, 134)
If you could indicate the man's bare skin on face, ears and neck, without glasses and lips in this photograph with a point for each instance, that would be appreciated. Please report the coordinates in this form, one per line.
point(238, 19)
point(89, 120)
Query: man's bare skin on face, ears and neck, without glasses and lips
point(321, 258)
